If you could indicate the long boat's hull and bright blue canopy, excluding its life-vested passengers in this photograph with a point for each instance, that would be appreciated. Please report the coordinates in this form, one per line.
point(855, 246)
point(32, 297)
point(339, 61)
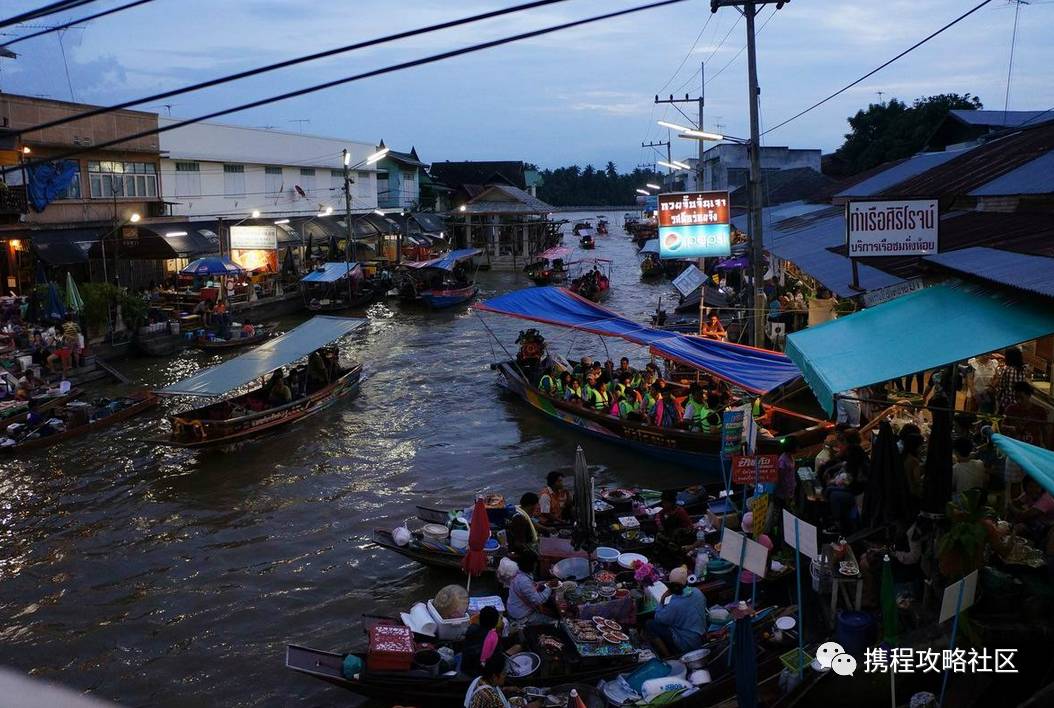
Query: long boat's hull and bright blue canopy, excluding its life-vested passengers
point(749, 371)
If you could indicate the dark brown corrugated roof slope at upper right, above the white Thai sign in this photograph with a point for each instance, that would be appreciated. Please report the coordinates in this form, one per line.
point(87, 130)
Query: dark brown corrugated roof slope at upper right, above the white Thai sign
point(979, 166)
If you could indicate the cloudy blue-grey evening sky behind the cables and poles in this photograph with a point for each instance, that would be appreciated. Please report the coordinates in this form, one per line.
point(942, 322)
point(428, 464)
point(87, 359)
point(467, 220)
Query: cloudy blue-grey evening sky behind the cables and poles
point(581, 96)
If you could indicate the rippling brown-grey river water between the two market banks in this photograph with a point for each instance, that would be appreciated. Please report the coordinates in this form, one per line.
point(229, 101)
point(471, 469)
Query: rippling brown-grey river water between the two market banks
point(157, 577)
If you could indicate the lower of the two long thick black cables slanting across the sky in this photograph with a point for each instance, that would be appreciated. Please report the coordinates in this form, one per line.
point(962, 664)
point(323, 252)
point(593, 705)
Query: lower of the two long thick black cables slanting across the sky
point(358, 77)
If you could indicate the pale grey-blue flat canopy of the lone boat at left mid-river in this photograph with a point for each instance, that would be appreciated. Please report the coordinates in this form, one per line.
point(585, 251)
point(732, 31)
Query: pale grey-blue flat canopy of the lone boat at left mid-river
point(274, 355)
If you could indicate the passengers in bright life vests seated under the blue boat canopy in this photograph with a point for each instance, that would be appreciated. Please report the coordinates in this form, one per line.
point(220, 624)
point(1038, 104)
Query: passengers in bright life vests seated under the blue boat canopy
point(639, 396)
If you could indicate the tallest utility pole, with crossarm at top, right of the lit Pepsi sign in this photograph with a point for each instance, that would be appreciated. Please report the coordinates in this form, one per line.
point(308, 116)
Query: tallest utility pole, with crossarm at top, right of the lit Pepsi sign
point(750, 11)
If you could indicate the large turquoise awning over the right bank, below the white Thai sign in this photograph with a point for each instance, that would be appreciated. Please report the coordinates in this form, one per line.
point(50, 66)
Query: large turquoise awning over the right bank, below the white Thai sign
point(922, 331)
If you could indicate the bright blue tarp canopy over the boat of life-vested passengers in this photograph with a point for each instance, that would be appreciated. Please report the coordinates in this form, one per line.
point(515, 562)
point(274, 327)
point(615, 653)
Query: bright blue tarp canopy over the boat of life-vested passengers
point(755, 370)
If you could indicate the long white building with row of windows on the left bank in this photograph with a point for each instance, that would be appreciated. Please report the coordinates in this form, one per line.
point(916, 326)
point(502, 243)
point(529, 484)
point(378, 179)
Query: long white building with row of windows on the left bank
point(213, 170)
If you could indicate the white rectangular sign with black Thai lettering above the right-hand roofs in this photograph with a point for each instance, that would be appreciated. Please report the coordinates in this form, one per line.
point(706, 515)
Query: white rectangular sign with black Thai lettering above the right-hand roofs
point(892, 228)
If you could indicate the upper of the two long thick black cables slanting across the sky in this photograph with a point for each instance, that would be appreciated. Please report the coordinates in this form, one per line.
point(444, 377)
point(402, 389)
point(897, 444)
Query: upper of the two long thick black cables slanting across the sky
point(289, 63)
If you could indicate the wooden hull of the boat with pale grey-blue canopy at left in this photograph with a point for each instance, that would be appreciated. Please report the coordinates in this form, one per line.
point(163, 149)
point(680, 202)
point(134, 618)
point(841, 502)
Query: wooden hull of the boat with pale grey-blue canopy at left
point(219, 434)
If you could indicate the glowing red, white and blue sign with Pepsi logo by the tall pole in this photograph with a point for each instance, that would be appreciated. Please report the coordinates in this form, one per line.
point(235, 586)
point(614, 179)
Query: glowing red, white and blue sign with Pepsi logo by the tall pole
point(694, 225)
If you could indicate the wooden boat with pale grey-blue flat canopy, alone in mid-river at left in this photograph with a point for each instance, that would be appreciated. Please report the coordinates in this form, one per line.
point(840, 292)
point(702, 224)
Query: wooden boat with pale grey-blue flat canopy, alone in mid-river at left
point(227, 421)
